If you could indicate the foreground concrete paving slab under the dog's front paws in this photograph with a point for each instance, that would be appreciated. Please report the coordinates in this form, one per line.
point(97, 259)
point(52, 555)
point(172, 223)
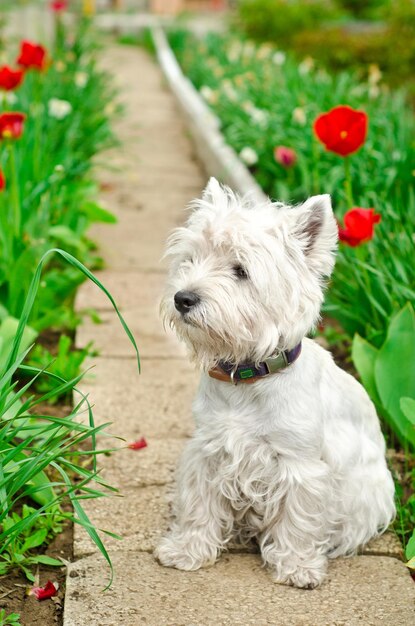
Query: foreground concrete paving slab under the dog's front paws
point(237, 591)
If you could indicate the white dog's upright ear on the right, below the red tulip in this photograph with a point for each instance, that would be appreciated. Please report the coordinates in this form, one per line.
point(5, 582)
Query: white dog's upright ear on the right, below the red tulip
point(317, 227)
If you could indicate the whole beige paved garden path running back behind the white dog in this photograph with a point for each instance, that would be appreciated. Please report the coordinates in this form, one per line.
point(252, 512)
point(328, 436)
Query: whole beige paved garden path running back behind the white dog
point(153, 176)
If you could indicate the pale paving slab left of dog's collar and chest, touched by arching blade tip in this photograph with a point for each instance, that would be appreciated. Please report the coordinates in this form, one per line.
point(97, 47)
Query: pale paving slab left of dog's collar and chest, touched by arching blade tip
point(156, 403)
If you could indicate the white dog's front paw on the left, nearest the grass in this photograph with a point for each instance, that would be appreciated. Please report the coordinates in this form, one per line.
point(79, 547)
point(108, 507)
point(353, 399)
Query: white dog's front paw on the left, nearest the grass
point(186, 554)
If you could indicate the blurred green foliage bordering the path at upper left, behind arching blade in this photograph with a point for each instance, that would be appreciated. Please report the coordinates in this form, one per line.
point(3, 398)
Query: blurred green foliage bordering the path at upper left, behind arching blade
point(50, 194)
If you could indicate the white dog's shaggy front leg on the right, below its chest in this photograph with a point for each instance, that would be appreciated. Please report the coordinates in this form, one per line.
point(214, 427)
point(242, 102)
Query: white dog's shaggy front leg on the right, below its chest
point(295, 543)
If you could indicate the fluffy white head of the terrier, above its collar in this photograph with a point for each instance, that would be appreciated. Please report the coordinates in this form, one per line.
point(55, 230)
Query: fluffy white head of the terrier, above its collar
point(246, 279)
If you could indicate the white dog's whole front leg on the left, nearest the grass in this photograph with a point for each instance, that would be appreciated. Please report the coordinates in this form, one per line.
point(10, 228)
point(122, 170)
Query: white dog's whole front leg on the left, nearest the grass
point(203, 518)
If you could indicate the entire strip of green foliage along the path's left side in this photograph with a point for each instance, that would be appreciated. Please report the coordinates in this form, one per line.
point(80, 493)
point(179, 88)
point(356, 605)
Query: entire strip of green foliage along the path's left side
point(46, 460)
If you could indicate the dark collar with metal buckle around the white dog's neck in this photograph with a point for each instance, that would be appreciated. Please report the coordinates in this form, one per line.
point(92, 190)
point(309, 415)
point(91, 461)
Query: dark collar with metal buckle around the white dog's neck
point(249, 372)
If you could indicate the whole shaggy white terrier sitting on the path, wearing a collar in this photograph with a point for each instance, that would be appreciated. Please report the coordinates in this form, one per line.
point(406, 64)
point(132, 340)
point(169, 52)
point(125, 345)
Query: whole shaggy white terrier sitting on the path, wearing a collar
point(295, 459)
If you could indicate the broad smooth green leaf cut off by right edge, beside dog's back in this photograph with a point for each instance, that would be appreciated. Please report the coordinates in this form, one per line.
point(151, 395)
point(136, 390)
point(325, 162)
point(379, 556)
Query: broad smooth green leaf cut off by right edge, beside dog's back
point(395, 371)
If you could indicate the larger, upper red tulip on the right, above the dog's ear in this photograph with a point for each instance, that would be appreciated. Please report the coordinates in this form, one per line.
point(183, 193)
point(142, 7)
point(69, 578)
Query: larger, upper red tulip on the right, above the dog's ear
point(342, 130)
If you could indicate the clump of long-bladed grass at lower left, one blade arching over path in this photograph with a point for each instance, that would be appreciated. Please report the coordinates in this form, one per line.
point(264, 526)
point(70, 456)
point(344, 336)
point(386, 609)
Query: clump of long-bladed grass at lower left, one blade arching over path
point(41, 456)
